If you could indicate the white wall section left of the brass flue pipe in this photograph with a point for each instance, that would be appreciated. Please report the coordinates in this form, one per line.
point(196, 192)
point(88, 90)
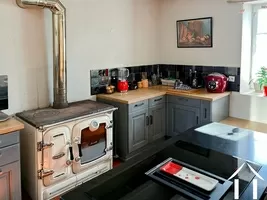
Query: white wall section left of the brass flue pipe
point(22, 56)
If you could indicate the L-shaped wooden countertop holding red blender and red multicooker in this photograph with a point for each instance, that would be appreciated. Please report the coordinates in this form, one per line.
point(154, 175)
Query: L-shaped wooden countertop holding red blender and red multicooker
point(134, 96)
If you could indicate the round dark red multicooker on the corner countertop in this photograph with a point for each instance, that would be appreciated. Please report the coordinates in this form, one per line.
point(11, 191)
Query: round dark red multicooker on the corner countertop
point(216, 83)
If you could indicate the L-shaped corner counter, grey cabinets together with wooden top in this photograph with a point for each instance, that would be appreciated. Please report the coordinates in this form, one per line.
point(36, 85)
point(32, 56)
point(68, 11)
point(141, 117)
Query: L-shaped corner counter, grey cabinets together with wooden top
point(146, 115)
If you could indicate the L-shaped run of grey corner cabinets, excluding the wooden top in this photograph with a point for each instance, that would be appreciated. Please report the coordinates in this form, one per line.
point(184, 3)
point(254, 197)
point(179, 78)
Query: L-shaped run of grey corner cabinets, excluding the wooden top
point(140, 124)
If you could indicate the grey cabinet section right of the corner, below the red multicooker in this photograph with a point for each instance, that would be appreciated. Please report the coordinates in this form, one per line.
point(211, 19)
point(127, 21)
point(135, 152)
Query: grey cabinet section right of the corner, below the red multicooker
point(184, 113)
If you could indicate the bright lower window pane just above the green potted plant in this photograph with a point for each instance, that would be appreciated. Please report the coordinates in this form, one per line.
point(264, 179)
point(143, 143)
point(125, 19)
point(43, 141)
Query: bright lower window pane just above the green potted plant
point(259, 56)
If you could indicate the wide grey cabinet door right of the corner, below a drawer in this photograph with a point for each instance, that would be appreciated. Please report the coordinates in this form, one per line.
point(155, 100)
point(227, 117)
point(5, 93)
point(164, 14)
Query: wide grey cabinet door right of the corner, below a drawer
point(181, 118)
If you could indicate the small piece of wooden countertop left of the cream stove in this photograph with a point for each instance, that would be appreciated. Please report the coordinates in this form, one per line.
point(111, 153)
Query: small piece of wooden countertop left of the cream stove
point(10, 125)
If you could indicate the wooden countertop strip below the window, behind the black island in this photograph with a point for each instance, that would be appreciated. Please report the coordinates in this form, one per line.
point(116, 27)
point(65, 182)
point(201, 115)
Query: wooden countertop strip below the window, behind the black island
point(242, 123)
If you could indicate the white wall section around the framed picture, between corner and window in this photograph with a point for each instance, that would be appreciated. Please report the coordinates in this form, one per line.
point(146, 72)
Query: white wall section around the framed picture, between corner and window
point(227, 22)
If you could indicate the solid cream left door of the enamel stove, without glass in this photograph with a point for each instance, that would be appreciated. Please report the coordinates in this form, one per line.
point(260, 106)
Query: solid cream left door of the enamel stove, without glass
point(56, 155)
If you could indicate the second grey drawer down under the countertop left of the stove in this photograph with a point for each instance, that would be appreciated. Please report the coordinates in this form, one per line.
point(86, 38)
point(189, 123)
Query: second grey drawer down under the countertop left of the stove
point(9, 154)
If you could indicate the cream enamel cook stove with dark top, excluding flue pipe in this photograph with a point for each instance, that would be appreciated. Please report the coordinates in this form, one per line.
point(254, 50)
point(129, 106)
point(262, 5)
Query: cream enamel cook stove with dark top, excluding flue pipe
point(64, 148)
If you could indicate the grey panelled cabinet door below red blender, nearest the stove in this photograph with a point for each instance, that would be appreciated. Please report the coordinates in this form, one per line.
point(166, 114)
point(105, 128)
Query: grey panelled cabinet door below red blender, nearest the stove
point(138, 130)
